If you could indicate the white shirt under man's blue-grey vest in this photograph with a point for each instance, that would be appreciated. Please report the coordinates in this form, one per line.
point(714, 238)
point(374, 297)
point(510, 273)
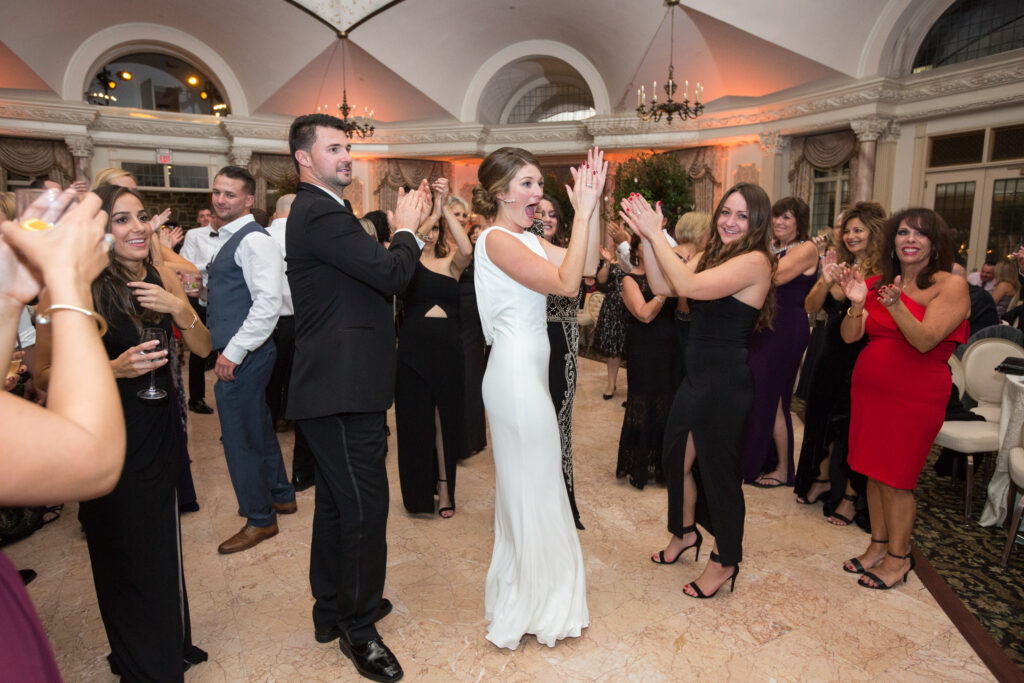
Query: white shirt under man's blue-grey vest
point(263, 270)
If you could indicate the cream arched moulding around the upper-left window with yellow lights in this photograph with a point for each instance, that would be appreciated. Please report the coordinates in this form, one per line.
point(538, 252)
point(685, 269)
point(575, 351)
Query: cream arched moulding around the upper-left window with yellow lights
point(124, 39)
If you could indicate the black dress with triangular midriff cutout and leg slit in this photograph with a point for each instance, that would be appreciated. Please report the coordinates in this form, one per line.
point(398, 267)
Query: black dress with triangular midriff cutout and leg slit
point(431, 375)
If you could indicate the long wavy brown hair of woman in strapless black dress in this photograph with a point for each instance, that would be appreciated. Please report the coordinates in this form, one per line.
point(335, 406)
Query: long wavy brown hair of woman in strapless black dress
point(758, 238)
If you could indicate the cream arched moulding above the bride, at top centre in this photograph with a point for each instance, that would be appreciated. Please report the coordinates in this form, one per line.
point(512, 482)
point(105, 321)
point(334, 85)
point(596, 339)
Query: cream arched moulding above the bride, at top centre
point(534, 49)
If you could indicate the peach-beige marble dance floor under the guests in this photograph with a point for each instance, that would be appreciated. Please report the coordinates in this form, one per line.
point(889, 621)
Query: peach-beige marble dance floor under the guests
point(795, 616)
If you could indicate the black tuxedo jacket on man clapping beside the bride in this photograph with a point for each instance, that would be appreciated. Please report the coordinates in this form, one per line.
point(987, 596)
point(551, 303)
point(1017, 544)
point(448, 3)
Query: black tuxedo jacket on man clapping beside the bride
point(343, 282)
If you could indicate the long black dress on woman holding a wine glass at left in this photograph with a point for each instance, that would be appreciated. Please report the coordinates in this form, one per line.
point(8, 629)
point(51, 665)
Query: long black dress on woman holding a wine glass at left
point(134, 534)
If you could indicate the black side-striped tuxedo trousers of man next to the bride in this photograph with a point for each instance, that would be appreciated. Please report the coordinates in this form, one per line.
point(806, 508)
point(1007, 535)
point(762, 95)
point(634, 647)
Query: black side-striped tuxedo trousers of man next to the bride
point(349, 558)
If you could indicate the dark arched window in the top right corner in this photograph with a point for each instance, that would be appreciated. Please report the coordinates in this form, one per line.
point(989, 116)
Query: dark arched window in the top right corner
point(972, 29)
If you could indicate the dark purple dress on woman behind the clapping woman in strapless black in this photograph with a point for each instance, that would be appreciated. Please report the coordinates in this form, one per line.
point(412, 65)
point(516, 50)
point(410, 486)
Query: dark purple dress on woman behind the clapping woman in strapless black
point(775, 359)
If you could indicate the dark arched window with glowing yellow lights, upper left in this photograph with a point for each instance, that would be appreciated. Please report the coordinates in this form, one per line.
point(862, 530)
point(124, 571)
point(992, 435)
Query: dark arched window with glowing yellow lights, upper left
point(152, 81)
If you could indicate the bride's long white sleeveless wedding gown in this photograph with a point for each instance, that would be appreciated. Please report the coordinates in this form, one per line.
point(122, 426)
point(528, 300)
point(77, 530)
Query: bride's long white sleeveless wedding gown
point(536, 583)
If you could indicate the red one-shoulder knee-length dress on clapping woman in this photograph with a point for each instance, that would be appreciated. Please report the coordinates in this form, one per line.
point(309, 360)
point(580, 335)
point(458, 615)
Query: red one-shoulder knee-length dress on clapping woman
point(899, 397)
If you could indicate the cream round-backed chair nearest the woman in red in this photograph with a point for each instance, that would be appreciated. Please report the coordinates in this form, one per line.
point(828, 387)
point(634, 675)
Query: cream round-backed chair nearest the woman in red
point(984, 383)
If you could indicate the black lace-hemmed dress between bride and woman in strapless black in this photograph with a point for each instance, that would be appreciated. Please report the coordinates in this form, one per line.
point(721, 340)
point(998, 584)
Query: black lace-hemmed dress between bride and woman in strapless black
point(654, 372)
